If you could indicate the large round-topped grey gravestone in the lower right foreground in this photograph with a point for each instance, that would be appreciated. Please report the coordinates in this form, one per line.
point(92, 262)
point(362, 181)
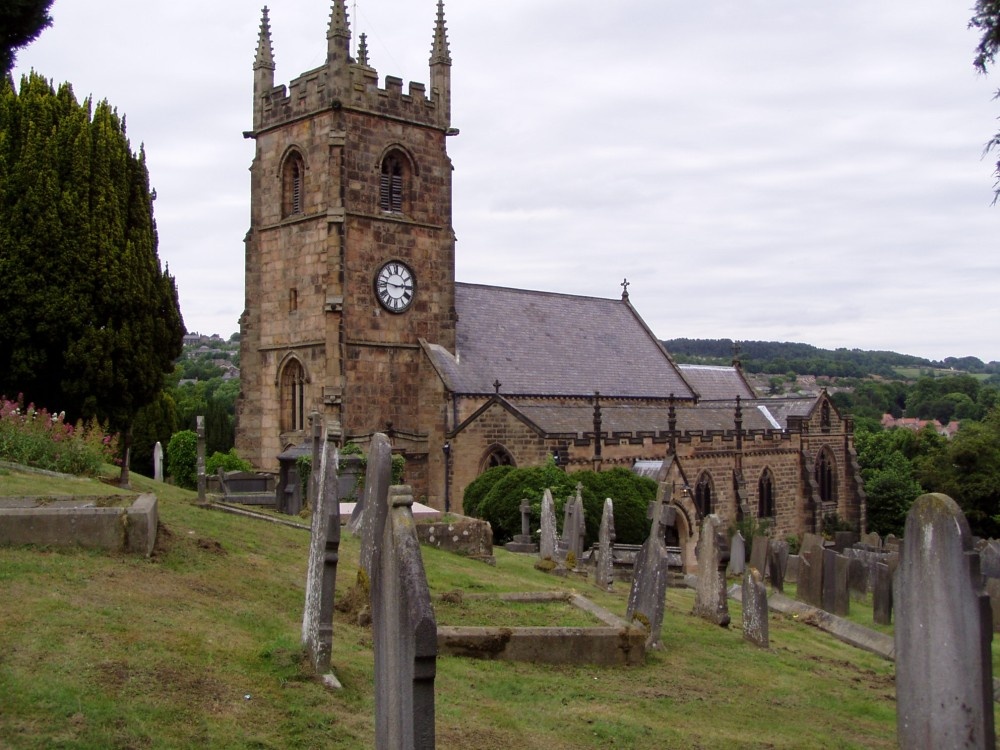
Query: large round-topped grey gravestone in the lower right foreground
point(944, 675)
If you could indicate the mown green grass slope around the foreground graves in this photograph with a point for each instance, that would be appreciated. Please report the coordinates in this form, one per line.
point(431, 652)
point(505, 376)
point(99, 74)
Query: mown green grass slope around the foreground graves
point(199, 647)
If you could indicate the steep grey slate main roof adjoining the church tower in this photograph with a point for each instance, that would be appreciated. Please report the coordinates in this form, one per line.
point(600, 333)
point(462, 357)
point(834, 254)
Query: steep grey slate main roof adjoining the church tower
point(541, 343)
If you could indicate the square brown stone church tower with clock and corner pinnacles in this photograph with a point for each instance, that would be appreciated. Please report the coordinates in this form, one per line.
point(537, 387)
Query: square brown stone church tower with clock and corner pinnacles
point(350, 256)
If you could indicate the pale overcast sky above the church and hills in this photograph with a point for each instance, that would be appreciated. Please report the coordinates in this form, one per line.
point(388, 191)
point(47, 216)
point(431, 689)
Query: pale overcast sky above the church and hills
point(758, 169)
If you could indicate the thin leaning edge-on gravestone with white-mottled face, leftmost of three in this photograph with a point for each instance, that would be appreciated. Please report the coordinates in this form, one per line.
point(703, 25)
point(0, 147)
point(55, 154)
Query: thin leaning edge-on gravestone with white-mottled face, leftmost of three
point(321, 575)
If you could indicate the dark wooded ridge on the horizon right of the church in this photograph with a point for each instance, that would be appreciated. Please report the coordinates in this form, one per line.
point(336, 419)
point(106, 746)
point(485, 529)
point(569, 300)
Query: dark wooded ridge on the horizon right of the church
point(805, 359)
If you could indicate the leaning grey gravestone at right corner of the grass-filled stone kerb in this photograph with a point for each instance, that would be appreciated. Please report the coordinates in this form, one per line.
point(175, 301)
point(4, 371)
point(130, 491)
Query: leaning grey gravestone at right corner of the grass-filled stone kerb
point(647, 596)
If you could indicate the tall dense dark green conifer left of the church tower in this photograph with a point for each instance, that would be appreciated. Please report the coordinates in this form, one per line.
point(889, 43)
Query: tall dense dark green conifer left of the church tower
point(89, 322)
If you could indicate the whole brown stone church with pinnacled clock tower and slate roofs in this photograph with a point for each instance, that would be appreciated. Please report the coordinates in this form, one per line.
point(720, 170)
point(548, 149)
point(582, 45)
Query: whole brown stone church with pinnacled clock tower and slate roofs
point(353, 312)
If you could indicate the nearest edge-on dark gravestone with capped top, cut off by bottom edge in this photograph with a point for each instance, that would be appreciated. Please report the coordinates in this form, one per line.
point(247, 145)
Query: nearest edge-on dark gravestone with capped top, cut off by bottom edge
point(404, 631)
